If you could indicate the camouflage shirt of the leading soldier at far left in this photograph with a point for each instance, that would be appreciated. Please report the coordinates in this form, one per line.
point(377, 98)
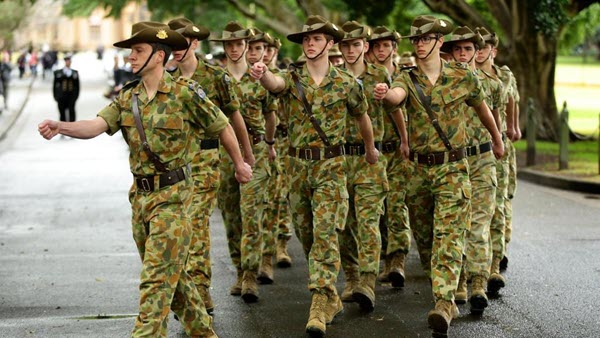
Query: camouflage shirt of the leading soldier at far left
point(178, 106)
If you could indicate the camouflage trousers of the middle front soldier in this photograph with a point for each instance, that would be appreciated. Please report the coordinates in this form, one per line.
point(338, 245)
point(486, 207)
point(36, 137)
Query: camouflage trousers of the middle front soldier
point(319, 206)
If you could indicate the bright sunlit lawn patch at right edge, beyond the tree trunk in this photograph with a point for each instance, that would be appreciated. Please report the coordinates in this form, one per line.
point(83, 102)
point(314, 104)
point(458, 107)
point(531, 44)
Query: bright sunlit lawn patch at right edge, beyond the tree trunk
point(579, 85)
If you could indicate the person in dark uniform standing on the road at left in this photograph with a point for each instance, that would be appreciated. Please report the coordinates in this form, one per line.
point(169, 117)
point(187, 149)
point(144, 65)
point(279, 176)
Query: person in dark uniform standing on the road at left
point(66, 90)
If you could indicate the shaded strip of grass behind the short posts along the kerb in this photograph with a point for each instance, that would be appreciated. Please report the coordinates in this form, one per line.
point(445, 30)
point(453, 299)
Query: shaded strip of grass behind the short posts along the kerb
point(583, 159)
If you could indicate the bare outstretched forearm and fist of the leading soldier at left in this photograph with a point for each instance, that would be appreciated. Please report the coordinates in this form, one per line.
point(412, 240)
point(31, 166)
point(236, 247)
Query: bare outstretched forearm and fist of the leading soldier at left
point(84, 129)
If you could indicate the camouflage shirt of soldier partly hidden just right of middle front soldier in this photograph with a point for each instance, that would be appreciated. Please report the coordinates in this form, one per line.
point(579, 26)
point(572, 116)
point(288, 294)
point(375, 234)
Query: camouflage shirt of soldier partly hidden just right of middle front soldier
point(369, 78)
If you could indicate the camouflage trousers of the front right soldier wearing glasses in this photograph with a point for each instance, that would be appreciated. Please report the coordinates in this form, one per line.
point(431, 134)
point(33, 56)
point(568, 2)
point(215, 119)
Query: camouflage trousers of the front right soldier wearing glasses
point(439, 205)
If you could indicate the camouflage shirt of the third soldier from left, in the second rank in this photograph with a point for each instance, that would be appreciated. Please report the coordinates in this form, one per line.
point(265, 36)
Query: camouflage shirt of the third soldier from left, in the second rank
point(255, 101)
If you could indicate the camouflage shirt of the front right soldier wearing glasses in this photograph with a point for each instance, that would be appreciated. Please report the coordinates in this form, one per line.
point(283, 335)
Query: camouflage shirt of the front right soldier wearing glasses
point(455, 86)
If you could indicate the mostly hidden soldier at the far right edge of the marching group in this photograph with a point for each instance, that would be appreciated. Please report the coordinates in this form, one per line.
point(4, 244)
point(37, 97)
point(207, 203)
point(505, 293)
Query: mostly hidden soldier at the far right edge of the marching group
point(484, 61)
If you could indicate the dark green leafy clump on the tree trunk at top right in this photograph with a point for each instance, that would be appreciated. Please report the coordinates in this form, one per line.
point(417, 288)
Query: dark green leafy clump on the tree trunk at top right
point(548, 16)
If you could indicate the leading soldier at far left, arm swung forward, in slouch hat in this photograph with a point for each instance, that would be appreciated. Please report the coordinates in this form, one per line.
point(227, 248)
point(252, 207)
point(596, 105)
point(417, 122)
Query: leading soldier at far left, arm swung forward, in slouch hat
point(160, 197)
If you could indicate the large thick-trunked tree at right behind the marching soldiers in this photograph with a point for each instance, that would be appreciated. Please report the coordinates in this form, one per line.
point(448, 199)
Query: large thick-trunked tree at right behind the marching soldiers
point(529, 32)
